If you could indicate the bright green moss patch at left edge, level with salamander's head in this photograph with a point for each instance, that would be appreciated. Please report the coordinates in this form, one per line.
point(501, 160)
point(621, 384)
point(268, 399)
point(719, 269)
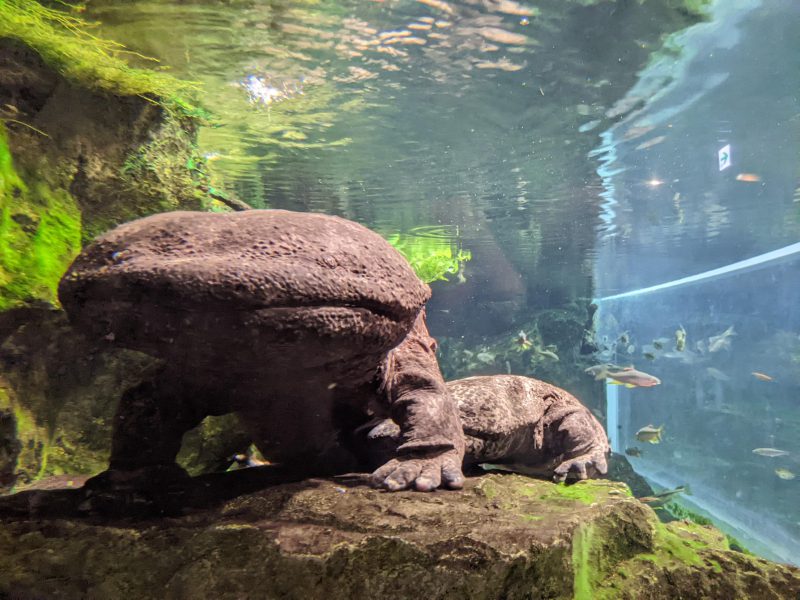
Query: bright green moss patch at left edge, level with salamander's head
point(40, 233)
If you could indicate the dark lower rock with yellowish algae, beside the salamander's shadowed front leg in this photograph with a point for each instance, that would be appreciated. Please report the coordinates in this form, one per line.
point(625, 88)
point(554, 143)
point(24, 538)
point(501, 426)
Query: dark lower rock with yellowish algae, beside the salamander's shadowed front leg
point(61, 390)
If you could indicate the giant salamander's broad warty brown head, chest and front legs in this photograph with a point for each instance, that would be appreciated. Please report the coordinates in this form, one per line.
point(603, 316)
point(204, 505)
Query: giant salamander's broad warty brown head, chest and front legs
point(307, 326)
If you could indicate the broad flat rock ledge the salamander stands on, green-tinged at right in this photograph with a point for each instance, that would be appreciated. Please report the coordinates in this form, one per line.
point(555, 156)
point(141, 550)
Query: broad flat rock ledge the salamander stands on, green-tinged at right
point(504, 536)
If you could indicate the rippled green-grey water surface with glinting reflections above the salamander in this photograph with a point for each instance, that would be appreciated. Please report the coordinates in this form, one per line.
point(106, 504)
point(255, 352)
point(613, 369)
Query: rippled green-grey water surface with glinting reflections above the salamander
point(404, 114)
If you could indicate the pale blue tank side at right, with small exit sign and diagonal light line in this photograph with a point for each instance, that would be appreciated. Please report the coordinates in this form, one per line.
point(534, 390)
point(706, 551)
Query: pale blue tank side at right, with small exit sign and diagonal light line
point(697, 274)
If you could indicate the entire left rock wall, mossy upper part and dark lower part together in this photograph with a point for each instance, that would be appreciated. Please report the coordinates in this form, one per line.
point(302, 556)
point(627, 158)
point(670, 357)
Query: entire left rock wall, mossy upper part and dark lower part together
point(86, 142)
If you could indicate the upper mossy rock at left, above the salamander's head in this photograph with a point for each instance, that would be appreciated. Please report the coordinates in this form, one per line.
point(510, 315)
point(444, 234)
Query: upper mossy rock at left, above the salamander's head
point(86, 142)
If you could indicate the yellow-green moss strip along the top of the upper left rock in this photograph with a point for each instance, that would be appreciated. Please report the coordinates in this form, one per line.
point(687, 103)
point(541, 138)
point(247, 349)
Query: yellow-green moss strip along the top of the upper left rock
point(66, 44)
